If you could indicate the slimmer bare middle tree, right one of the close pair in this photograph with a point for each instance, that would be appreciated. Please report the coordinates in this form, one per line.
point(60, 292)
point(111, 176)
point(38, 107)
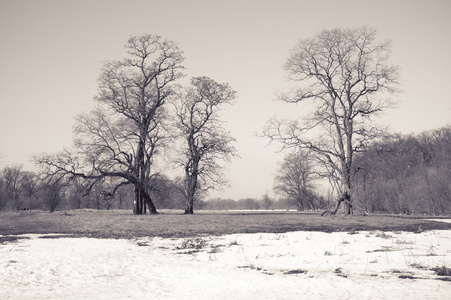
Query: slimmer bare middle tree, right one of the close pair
point(205, 141)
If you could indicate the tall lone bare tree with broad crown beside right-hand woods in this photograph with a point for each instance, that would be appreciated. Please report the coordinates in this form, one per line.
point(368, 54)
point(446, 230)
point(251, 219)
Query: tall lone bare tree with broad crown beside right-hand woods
point(345, 73)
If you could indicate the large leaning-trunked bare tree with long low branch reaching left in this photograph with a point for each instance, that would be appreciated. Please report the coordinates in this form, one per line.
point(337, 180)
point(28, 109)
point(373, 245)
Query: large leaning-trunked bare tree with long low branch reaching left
point(122, 135)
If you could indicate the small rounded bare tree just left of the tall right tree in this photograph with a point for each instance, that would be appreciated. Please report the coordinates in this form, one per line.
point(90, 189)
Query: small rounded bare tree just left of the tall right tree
point(294, 180)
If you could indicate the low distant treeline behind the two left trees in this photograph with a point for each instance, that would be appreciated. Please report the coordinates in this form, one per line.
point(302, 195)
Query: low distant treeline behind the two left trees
point(25, 190)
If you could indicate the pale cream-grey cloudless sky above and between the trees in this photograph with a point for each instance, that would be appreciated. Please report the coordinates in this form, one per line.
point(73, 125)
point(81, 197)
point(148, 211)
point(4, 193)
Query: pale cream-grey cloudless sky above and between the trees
point(51, 53)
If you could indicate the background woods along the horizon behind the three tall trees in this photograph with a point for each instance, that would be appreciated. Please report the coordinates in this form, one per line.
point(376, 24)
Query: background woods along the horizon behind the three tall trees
point(402, 174)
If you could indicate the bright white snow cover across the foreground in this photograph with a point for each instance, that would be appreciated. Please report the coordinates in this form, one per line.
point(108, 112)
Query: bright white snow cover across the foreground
point(294, 265)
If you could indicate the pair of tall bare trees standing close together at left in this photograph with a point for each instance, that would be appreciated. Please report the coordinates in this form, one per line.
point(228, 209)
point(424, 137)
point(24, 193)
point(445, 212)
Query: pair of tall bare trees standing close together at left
point(133, 127)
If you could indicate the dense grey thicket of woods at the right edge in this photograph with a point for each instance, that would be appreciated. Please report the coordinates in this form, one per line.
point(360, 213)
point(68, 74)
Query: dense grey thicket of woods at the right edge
point(406, 174)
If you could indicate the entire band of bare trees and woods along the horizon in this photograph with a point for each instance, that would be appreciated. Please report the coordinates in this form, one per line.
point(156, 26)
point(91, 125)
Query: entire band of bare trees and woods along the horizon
point(143, 116)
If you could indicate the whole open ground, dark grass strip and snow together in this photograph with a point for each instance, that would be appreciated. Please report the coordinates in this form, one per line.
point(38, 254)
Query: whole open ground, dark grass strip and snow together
point(222, 255)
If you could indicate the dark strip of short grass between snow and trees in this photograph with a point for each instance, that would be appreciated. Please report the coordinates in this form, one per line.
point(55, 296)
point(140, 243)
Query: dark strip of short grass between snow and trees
point(123, 224)
